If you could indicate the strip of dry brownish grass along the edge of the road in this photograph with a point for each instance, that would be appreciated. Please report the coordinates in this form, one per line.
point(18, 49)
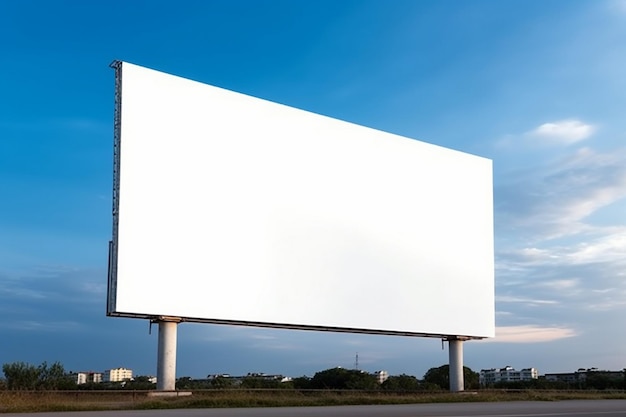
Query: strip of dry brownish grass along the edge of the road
point(39, 401)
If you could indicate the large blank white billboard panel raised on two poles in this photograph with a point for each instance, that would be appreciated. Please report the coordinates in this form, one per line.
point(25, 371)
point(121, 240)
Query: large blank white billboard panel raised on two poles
point(232, 209)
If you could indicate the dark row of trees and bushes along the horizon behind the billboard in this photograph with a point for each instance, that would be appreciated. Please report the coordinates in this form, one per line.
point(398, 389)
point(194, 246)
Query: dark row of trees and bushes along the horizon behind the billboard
point(24, 376)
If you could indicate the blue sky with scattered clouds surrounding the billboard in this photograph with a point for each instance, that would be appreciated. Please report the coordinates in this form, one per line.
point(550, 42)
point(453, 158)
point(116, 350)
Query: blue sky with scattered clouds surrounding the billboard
point(537, 86)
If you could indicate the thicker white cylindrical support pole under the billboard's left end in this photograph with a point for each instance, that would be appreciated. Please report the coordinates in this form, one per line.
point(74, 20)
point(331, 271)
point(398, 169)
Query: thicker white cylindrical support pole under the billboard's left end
point(166, 353)
